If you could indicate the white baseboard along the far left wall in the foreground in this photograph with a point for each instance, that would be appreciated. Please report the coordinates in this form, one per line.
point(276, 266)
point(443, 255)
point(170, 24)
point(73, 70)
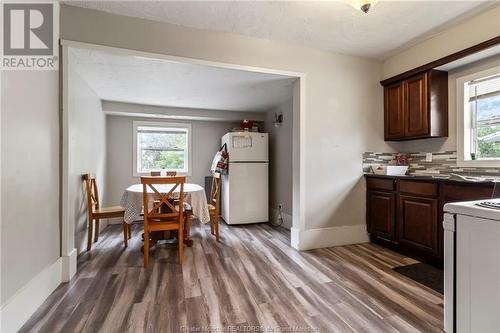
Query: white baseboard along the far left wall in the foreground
point(19, 308)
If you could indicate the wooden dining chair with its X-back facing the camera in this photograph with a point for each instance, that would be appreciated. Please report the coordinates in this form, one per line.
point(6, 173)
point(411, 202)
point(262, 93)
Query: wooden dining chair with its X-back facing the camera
point(156, 219)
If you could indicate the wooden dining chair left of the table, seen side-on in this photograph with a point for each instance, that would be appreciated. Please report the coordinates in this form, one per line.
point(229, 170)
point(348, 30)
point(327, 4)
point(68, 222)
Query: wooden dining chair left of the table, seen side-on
point(95, 213)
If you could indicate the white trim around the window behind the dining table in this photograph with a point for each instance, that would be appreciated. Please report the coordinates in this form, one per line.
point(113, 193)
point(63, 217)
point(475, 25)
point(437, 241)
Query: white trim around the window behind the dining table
point(187, 126)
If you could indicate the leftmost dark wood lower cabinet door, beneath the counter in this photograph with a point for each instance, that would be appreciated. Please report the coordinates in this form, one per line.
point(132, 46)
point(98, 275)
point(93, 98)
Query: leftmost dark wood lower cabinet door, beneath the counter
point(380, 214)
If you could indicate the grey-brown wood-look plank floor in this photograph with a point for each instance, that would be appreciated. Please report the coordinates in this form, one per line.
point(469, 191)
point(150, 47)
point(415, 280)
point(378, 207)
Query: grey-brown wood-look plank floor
point(251, 278)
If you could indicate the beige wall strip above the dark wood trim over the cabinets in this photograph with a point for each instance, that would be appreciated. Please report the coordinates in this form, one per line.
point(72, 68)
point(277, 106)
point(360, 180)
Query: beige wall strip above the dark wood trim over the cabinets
point(471, 32)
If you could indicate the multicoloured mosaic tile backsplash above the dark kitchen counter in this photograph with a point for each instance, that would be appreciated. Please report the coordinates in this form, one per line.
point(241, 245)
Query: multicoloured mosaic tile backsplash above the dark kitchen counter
point(442, 163)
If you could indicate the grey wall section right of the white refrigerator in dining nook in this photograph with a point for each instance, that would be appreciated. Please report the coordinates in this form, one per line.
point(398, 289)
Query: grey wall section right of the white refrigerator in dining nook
point(280, 157)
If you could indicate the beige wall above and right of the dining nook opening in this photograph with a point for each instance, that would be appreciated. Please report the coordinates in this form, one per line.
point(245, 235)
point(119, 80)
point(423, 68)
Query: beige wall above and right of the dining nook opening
point(343, 98)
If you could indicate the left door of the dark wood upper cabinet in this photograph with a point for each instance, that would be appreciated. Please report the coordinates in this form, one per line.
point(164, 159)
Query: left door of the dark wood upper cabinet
point(394, 125)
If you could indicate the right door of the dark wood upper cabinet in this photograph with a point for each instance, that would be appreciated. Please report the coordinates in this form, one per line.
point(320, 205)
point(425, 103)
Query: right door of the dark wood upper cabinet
point(416, 111)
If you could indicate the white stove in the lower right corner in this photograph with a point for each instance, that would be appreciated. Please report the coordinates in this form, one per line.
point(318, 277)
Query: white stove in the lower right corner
point(472, 266)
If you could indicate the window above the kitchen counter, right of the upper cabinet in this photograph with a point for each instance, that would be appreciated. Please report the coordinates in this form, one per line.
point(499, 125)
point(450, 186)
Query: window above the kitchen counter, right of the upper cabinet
point(479, 119)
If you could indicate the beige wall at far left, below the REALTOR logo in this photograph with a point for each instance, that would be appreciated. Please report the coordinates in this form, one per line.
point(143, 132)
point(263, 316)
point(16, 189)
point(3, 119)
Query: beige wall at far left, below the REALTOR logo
point(30, 177)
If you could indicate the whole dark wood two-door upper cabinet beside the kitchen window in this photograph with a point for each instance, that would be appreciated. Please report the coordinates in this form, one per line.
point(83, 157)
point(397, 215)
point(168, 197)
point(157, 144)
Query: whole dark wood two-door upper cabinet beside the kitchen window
point(417, 107)
